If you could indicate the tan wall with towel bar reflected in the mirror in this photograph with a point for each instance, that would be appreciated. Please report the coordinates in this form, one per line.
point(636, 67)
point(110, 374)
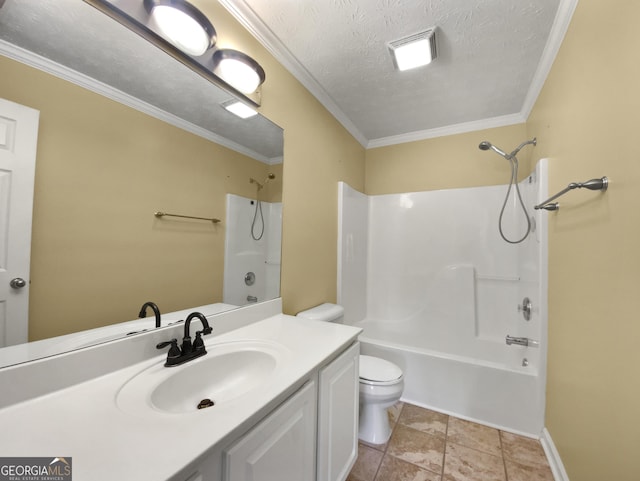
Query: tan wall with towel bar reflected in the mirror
point(102, 171)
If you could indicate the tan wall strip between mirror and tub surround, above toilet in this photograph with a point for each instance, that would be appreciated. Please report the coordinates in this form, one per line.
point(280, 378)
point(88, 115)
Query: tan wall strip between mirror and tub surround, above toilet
point(318, 153)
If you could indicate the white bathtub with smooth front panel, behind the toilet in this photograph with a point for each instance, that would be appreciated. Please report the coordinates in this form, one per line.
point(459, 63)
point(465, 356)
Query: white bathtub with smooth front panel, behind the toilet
point(492, 387)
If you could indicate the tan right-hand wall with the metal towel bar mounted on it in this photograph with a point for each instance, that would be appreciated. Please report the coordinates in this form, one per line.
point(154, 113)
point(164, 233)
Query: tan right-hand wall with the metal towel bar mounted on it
point(586, 120)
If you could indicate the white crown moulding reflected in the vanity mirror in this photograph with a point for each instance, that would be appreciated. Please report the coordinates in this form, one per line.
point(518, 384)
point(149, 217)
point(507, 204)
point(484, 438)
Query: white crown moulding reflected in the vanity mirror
point(41, 63)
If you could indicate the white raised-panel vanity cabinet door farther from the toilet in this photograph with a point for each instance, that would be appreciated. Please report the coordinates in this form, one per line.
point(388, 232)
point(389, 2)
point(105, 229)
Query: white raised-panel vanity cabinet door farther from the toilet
point(282, 447)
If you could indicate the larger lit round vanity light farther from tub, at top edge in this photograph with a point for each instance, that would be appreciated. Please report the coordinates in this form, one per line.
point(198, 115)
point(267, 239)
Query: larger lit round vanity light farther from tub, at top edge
point(182, 25)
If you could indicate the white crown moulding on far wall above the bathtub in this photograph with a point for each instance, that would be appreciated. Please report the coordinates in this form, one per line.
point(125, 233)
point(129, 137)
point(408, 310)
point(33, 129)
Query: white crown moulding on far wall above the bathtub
point(472, 126)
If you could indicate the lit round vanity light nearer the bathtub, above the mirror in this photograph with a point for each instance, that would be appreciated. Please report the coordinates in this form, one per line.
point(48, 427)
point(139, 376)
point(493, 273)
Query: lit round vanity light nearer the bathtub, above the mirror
point(238, 70)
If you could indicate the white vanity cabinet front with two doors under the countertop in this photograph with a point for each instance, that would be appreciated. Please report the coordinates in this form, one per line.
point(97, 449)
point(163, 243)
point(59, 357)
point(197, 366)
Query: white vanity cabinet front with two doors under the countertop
point(311, 436)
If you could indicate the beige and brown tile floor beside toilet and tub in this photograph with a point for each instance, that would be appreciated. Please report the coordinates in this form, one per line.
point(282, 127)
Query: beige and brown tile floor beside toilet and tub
point(430, 446)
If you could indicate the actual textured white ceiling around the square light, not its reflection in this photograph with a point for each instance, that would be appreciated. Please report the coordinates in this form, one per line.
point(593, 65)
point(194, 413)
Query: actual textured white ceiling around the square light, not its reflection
point(490, 57)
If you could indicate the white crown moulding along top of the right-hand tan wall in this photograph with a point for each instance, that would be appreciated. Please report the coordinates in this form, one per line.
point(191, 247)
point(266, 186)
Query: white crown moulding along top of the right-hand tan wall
point(556, 36)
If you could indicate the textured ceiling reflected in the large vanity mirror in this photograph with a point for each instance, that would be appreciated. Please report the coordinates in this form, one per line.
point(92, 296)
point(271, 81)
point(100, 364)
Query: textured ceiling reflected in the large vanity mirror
point(75, 35)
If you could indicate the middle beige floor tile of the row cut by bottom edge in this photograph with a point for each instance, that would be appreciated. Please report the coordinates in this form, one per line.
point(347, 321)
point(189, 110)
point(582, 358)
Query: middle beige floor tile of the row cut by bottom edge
point(466, 464)
